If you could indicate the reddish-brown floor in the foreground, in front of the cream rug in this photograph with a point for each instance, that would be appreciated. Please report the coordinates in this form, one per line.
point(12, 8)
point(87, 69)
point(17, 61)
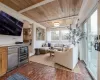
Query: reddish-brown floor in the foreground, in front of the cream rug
point(36, 71)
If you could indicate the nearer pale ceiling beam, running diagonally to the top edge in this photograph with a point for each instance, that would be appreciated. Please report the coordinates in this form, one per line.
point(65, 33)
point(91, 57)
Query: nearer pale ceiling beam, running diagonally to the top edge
point(36, 5)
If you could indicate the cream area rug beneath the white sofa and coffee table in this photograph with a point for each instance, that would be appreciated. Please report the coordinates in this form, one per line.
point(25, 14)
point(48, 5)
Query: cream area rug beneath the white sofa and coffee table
point(47, 60)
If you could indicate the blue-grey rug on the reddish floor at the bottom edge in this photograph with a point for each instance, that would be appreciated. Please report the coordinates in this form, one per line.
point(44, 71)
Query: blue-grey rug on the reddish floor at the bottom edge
point(17, 76)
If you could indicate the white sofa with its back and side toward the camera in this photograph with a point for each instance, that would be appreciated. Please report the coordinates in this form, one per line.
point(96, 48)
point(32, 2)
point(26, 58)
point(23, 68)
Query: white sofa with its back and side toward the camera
point(67, 58)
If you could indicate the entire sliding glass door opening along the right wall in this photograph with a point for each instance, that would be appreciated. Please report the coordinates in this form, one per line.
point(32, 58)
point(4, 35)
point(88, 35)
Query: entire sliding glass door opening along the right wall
point(90, 54)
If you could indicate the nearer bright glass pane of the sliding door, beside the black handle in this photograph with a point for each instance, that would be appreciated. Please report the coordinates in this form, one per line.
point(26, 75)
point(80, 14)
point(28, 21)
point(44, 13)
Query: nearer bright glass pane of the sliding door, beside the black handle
point(92, 53)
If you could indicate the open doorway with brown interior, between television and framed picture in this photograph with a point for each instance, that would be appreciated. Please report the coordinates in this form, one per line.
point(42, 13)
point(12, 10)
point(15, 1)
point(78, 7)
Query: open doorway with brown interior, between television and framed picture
point(28, 36)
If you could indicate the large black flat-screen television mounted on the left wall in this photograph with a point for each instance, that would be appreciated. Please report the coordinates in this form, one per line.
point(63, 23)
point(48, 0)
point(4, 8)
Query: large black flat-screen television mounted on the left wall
point(9, 25)
